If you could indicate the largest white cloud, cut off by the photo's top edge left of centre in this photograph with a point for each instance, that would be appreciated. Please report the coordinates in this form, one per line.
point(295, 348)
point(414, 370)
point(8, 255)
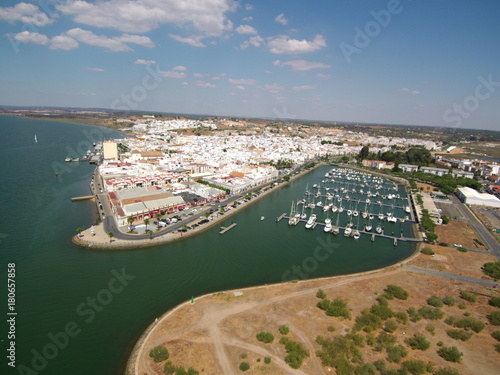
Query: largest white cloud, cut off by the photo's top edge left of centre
point(207, 17)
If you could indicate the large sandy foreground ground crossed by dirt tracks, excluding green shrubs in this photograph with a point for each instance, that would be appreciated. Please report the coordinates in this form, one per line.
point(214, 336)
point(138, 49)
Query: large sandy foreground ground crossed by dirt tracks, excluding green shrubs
point(216, 333)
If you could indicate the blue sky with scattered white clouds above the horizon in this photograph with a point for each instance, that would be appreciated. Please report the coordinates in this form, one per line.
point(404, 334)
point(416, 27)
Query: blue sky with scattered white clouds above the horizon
point(414, 62)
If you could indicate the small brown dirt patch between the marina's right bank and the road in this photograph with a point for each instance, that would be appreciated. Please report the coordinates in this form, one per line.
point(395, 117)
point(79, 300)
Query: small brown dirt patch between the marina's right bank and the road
point(459, 232)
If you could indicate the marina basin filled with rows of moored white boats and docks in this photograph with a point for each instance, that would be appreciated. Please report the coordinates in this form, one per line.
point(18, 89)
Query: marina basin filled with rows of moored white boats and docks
point(359, 202)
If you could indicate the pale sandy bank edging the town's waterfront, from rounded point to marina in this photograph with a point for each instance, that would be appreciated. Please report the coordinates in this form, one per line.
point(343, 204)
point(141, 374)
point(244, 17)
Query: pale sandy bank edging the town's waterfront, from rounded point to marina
point(97, 239)
